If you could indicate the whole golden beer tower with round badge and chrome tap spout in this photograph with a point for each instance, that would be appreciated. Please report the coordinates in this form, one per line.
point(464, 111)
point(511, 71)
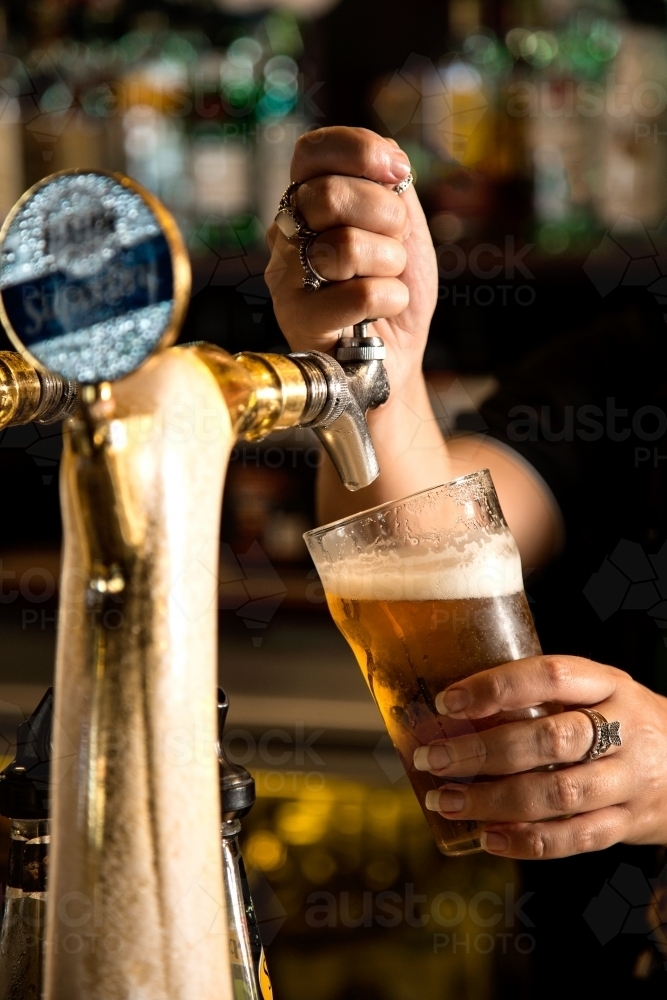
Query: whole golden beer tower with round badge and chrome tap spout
point(94, 285)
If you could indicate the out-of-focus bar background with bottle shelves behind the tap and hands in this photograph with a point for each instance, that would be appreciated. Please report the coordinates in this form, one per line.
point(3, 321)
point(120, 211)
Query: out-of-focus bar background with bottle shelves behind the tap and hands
point(537, 131)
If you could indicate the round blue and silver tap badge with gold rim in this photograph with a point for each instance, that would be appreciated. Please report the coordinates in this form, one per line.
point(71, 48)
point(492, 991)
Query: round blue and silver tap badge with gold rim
point(87, 275)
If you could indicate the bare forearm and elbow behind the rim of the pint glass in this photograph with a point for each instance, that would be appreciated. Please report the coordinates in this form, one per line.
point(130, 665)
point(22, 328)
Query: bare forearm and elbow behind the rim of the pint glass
point(414, 456)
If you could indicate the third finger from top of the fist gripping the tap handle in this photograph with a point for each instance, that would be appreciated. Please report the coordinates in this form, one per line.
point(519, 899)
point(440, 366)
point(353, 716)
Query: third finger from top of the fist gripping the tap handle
point(346, 253)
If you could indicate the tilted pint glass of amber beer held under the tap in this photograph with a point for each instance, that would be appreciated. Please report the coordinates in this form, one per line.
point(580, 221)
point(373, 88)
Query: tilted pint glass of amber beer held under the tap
point(428, 590)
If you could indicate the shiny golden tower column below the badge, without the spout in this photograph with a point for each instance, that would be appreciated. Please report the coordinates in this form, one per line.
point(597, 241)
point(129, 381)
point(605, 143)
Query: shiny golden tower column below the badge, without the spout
point(136, 904)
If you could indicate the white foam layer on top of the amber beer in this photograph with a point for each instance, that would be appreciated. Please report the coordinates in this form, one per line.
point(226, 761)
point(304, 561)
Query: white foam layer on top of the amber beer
point(480, 565)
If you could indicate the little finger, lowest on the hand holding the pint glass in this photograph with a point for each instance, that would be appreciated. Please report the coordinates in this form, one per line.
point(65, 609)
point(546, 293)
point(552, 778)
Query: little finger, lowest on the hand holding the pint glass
point(559, 838)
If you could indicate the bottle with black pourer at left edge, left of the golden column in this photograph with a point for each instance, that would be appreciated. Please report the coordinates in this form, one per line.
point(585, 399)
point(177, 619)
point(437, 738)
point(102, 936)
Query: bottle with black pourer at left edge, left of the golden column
point(24, 798)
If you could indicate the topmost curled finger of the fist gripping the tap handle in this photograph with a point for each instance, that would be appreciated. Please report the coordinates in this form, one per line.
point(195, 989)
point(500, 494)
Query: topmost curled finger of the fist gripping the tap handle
point(356, 152)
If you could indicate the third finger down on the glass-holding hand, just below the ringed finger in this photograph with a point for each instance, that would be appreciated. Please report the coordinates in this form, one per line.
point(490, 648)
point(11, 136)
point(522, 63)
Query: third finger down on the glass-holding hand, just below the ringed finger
point(536, 796)
